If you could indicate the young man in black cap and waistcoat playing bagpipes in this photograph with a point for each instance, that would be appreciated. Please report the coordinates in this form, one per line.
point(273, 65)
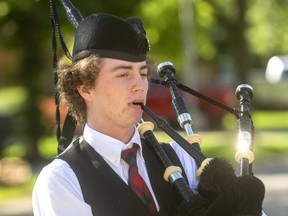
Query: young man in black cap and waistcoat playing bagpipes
point(101, 88)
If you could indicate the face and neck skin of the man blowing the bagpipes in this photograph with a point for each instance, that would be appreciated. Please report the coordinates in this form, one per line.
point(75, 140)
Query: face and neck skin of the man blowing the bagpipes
point(119, 85)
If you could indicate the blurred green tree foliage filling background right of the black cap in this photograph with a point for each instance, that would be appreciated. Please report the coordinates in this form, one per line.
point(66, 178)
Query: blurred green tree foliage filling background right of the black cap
point(229, 35)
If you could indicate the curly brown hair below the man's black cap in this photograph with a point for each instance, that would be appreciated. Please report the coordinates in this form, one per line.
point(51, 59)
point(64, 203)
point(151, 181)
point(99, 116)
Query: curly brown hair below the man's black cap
point(70, 76)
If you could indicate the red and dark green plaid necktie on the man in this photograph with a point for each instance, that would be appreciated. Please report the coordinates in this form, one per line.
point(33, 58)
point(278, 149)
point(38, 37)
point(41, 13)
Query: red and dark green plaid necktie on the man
point(136, 182)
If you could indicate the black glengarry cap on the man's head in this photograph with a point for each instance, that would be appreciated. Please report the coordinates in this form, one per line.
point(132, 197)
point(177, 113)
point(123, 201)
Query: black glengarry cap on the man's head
point(111, 37)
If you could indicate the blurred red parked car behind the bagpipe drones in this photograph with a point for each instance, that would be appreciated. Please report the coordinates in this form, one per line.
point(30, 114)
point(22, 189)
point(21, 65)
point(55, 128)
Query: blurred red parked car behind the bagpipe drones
point(160, 102)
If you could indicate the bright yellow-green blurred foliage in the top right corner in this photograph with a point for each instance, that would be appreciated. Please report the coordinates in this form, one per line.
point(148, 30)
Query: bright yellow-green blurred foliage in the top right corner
point(267, 32)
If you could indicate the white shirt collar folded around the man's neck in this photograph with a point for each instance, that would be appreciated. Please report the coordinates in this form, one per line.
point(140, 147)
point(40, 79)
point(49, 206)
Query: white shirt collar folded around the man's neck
point(108, 147)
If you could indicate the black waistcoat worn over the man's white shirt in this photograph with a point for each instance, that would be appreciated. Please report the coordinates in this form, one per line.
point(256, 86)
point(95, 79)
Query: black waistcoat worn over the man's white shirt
point(106, 192)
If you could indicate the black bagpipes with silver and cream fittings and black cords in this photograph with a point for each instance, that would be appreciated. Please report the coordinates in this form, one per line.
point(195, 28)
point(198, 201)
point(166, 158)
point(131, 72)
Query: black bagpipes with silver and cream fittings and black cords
point(220, 191)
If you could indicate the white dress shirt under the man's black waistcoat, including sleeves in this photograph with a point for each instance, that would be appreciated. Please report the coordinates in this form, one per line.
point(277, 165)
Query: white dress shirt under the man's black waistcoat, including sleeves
point(57, 190)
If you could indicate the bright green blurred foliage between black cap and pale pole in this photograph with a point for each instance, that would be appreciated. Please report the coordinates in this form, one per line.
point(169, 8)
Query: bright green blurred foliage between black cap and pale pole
point(162, 26)
